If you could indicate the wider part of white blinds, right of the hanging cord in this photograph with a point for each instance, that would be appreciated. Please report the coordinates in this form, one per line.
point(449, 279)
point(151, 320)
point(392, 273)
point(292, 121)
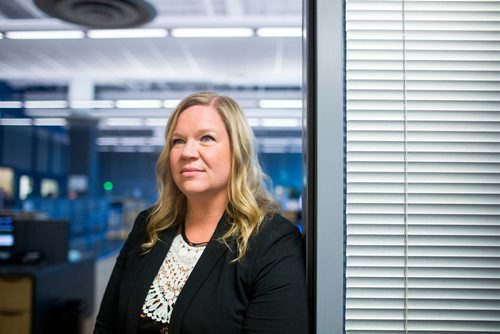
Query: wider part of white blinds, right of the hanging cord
point(453, 112)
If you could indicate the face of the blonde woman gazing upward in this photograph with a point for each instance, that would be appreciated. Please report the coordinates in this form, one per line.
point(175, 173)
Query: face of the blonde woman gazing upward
point(200, 154)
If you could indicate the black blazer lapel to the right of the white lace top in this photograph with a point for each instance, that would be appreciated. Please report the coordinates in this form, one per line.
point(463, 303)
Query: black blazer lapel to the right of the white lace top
point(211, 255)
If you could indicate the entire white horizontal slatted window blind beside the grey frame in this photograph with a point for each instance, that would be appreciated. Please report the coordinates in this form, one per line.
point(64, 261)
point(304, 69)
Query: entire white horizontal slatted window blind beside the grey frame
point(450, 280)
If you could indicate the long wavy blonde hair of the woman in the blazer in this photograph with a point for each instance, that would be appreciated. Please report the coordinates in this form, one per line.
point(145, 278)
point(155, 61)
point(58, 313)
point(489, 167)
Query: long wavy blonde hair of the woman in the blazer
point(249, 201)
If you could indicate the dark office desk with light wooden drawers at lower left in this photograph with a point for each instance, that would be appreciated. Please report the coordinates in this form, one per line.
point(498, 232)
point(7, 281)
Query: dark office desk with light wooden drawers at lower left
point(31, 297)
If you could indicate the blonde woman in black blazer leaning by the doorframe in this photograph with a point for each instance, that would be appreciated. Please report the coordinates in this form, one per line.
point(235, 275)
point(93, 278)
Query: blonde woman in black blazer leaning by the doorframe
point(212, 255)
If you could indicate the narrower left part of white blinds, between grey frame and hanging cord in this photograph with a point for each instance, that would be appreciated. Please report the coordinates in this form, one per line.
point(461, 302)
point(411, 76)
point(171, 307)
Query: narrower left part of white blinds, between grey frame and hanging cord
point(375, 250)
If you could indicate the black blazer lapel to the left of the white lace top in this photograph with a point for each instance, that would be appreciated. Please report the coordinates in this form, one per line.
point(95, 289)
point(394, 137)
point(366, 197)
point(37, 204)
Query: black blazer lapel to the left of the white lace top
point(147, 272)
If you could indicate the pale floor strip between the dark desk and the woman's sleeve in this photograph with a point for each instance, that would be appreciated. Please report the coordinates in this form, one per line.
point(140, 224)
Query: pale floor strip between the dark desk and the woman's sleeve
point(103, 269)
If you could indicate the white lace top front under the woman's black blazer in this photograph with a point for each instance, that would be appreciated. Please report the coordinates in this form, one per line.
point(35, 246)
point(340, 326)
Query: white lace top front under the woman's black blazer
point(168, 283)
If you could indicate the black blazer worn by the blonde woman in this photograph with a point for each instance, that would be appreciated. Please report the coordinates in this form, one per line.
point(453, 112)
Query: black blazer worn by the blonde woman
point(263, 293)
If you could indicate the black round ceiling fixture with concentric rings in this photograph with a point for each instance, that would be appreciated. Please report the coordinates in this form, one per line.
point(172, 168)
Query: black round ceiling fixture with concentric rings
point(102, 14)
